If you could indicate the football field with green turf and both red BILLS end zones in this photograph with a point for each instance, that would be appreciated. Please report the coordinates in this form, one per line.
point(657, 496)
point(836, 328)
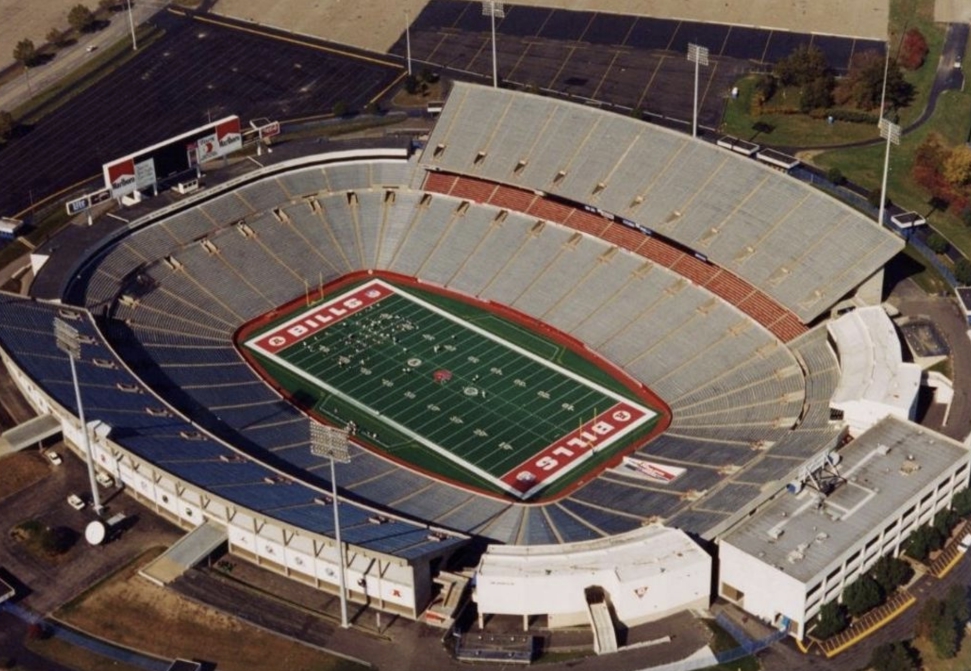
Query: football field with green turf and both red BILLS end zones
point(458, 391)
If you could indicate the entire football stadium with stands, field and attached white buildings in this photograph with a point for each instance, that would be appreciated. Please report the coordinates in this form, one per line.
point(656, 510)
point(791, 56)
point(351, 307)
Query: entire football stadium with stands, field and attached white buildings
point(677, 293)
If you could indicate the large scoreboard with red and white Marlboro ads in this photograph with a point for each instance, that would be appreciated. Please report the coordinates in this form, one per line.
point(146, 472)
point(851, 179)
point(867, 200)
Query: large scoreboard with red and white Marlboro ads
point(144, 169)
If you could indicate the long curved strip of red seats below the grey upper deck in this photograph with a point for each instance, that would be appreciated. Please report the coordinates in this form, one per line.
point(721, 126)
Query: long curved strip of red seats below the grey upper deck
point(753, 302)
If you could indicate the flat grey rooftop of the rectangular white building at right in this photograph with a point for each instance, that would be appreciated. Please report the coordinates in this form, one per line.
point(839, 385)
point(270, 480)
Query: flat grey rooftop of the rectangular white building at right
point(885, 468)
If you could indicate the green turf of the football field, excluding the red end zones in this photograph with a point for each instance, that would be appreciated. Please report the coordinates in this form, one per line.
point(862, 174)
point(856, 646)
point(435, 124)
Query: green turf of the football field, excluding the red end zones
point(499, 408)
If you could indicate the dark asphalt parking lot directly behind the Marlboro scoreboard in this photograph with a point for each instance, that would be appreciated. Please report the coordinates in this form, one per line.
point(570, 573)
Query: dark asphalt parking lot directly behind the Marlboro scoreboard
point(199, 71)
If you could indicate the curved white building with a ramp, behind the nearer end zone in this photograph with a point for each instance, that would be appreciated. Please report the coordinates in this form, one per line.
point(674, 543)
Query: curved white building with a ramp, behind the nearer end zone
point(644, 575)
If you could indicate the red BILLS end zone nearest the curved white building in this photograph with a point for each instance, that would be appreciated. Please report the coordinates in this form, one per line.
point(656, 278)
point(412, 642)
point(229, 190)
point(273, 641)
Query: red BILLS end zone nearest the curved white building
point(574, 448)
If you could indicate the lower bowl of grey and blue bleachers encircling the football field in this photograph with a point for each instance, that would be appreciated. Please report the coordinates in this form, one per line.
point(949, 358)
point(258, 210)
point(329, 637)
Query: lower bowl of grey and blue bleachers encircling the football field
point(174, 292)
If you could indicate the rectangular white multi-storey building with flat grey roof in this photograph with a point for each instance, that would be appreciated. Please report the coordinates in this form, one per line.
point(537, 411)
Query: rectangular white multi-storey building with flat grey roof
point(802, 549)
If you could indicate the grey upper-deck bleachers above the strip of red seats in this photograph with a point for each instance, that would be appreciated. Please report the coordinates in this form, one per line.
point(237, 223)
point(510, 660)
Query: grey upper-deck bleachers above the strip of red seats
point(799, 246)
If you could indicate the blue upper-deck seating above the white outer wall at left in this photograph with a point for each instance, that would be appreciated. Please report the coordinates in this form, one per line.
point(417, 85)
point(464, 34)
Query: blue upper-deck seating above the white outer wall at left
point(144, 426)
